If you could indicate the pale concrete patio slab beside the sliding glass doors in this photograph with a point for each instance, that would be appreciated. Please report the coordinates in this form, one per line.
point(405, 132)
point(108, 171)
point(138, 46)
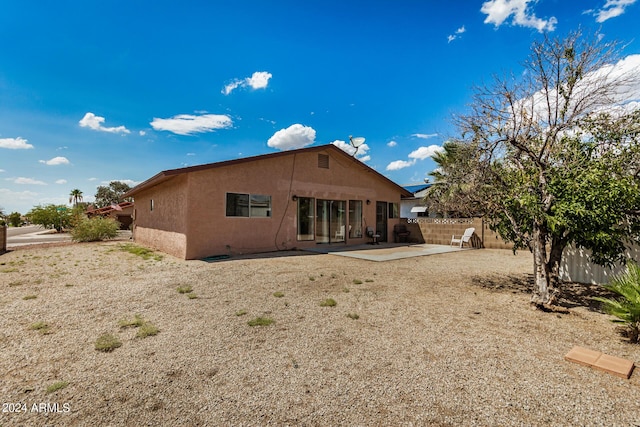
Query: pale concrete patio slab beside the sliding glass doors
point(387, 252)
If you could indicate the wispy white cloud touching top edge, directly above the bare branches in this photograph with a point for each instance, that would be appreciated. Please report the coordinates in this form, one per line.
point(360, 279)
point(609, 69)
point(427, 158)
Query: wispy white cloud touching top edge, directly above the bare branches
point(498, 11)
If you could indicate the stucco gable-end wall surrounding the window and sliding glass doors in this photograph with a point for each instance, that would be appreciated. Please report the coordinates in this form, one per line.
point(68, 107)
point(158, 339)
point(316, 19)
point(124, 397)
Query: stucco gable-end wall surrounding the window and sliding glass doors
point(210, 232)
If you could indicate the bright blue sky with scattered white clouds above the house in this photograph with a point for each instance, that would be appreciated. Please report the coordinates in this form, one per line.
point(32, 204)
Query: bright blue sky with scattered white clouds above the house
point(92, 92)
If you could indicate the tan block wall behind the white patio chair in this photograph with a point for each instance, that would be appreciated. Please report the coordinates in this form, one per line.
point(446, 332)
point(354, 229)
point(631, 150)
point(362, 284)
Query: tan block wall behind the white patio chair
point(438, 231)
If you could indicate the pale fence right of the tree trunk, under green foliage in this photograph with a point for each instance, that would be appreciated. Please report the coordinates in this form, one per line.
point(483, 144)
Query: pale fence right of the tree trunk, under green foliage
point(576, 267)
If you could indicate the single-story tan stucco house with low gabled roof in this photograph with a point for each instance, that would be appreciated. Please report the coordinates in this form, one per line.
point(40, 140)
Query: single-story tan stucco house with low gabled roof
point(284, 200)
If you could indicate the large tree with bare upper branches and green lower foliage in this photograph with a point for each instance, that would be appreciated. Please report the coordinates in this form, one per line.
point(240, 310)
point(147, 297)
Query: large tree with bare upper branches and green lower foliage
point(531, 143)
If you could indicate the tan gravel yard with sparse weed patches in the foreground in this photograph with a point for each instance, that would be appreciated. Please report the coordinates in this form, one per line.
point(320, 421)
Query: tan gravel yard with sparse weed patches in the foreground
point(446, 339)
